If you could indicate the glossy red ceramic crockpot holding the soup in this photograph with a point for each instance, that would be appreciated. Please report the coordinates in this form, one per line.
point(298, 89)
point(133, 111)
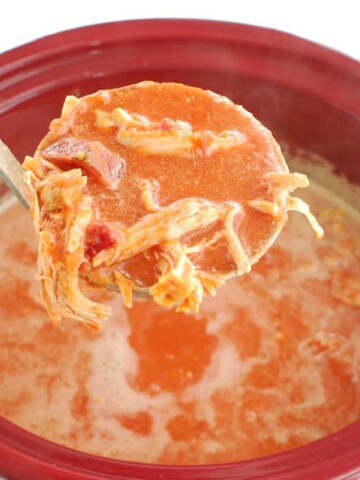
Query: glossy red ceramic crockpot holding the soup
point(308, 95)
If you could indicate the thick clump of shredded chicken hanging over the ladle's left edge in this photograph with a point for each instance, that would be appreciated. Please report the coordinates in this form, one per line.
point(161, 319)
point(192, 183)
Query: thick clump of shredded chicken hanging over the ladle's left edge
point(64, 212)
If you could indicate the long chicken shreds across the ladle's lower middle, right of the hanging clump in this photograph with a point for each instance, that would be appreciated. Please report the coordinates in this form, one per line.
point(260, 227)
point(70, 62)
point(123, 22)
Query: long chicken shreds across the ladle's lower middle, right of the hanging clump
point(180, 284)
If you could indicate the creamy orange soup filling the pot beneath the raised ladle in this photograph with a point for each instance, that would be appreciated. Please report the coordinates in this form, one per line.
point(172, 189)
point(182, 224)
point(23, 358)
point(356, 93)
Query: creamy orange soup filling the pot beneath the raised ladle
point(271, 363)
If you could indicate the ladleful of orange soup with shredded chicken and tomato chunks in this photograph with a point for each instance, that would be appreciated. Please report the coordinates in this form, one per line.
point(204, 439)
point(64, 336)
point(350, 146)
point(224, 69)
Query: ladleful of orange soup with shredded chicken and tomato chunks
point(159, 187)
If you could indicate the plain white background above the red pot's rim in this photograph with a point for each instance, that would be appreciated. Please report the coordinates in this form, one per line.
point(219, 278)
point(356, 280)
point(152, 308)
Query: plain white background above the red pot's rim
point(331, 22)
